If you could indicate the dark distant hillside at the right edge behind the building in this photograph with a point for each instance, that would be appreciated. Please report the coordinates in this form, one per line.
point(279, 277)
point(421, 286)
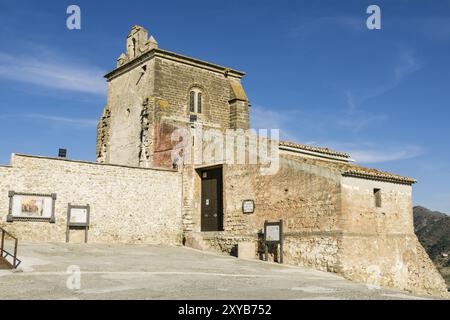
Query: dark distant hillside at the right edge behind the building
point(433, 230)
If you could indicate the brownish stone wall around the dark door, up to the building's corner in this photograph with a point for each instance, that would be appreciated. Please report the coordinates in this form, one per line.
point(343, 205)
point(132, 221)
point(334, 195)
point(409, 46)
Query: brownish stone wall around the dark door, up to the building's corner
point(305, 196)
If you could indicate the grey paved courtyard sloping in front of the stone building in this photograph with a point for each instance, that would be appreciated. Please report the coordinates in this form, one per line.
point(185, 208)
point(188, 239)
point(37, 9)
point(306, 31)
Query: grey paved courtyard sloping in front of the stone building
point(157, 272)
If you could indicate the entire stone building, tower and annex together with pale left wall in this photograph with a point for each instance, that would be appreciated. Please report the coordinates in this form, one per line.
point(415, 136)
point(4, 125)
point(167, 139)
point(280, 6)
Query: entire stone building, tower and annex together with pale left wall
point(337, 216)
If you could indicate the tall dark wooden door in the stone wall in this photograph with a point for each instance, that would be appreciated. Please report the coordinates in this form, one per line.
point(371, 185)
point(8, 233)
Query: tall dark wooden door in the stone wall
point(212, 207)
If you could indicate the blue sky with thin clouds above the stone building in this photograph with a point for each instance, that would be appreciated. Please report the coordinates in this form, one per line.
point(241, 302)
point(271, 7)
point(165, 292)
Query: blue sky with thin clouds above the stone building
point(313, 70)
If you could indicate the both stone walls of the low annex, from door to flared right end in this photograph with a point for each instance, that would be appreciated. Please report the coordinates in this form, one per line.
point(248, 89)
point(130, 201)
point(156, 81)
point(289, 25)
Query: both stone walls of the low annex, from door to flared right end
point(331, 222)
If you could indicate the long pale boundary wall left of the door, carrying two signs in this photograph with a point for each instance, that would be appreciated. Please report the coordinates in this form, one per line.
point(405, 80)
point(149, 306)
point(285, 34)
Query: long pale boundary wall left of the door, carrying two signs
point(128, 205)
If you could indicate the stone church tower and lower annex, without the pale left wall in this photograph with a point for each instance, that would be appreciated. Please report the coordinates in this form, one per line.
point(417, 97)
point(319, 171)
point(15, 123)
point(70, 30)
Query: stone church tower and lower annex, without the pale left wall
point(331, 219)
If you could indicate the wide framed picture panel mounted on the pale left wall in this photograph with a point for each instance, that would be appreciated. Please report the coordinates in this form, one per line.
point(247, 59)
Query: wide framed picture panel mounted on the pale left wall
point(31, 207)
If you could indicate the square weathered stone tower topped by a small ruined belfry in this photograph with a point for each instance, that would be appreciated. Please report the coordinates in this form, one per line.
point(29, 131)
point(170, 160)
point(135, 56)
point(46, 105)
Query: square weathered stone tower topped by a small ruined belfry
point(152, 92)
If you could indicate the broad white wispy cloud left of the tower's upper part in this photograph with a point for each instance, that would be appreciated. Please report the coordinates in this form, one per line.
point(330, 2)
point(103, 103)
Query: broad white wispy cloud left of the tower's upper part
point(52, 71)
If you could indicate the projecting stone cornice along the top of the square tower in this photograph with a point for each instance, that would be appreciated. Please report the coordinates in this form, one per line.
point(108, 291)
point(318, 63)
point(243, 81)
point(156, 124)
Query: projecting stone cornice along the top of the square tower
point(164, 54)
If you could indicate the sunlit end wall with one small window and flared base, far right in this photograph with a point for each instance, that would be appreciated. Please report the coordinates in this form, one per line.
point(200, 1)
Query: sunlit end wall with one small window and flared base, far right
point(379, 246)
